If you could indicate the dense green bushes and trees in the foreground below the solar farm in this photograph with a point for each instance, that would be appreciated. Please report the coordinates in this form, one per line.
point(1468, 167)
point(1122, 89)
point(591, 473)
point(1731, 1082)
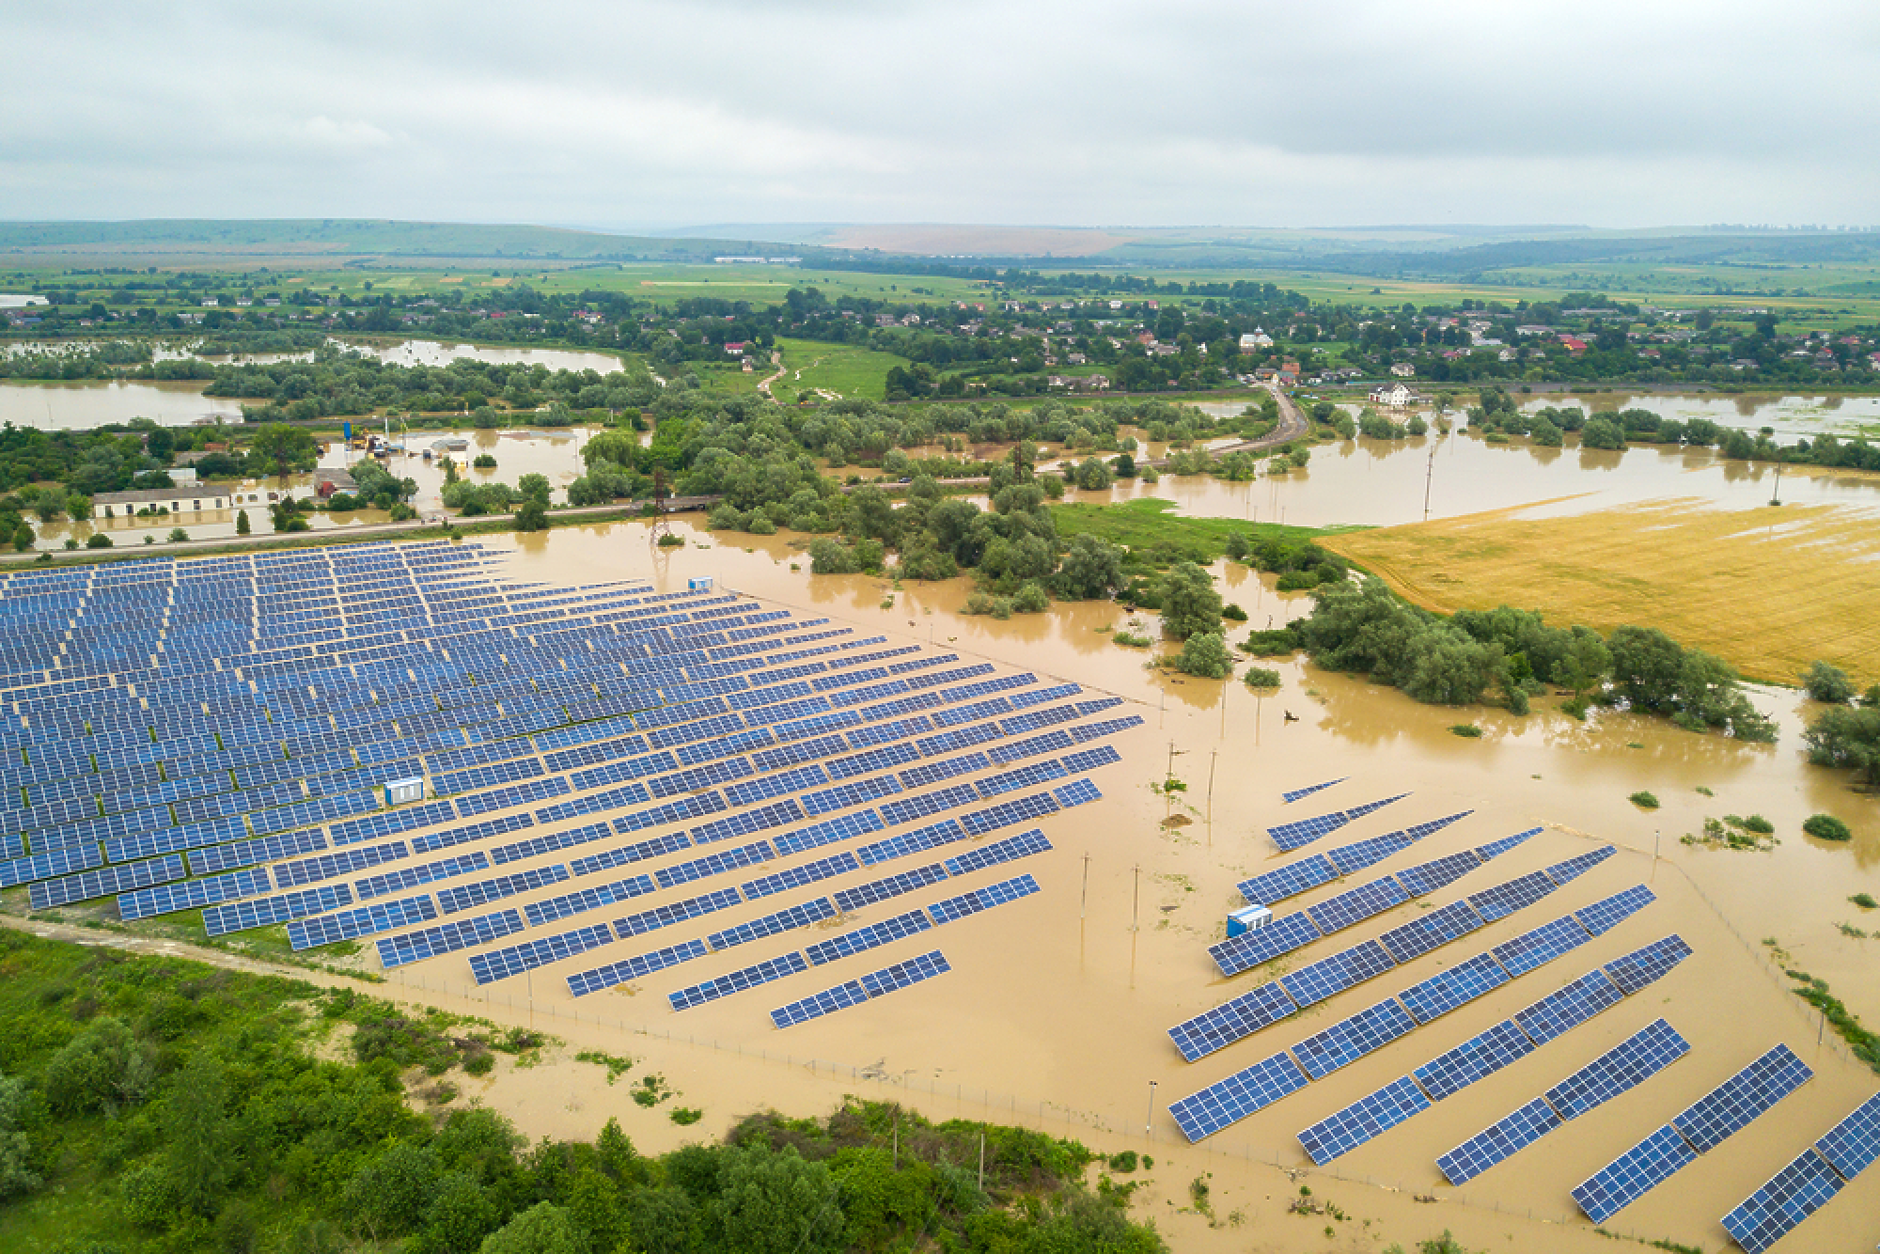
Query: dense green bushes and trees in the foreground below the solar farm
point(159, 1105)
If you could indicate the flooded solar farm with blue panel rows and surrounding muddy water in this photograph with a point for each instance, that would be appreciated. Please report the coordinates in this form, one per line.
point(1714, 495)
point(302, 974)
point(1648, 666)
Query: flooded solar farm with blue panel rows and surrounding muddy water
point(787, 838)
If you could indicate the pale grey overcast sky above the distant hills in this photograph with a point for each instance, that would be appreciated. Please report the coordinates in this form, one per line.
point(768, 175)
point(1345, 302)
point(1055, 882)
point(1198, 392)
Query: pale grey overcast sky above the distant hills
point(1016, 112)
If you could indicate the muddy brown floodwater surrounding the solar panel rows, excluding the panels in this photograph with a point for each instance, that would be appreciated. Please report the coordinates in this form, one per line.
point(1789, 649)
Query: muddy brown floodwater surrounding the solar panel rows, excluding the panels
point(1057, 1005)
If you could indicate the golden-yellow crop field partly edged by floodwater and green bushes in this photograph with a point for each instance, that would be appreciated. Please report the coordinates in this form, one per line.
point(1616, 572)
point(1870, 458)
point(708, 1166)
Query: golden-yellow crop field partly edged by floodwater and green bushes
point(1770, 591)
